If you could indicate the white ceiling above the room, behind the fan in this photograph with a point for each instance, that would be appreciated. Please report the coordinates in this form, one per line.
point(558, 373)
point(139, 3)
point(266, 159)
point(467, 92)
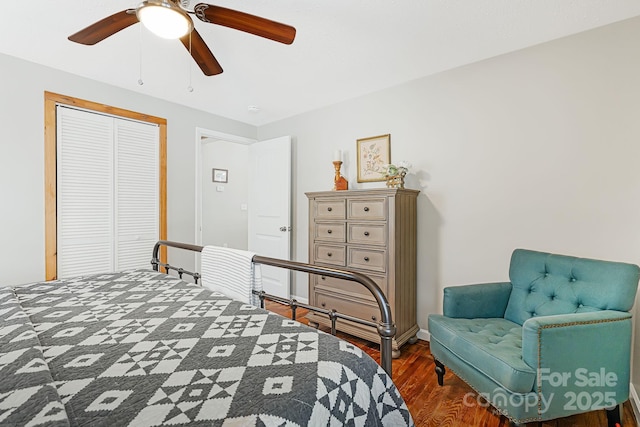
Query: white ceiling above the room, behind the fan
point(343, 49)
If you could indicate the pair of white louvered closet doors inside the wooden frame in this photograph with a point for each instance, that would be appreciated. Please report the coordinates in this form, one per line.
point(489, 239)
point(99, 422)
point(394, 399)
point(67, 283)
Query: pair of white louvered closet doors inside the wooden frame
point(107, 174)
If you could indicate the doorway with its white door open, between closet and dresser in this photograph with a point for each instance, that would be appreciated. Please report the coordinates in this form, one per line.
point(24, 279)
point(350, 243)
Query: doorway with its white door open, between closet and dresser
point(221, 209)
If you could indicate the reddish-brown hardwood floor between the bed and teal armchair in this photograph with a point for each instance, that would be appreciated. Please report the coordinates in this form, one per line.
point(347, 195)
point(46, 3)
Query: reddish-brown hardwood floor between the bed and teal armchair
point(432, 405)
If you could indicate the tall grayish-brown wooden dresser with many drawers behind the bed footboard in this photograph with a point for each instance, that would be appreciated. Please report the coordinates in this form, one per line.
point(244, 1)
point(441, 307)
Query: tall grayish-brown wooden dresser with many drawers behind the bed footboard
point(371, 232)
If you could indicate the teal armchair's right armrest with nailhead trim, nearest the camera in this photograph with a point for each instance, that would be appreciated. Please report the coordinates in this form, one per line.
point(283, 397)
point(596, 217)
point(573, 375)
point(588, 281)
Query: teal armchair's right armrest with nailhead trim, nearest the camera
point(582, 359)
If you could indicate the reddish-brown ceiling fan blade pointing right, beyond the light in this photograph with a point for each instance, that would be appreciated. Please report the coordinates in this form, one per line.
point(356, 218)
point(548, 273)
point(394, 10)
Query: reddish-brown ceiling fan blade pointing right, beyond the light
point(244, 22)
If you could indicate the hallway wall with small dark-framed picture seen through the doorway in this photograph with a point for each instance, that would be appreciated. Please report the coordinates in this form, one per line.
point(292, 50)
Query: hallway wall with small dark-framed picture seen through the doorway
point(223, 220)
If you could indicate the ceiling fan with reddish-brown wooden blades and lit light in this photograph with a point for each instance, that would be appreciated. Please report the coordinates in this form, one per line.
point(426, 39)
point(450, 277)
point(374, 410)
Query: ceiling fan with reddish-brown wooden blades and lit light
point(170, 19)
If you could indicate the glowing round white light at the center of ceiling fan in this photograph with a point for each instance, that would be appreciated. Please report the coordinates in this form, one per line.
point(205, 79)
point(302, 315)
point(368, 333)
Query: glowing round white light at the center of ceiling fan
point(164, 19)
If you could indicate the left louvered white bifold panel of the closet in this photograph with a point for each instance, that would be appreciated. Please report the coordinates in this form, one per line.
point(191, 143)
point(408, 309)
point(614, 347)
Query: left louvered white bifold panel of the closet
point(84, 193)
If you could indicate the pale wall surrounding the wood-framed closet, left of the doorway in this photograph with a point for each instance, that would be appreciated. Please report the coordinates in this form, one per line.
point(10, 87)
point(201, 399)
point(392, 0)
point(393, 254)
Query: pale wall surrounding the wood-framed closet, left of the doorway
point(22, 87)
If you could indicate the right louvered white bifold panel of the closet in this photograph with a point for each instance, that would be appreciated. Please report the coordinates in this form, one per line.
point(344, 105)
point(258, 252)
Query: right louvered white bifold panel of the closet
point(137, 200)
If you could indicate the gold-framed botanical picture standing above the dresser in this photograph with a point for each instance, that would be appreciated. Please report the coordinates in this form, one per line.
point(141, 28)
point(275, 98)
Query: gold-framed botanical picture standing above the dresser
point(373, 154)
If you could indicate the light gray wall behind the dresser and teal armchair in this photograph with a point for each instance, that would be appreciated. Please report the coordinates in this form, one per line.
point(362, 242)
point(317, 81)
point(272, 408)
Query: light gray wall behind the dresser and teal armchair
point(536, 149)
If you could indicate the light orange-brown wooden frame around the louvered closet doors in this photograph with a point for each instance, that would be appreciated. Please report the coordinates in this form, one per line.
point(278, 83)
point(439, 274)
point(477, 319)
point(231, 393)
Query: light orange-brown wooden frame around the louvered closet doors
point(50, 170)
